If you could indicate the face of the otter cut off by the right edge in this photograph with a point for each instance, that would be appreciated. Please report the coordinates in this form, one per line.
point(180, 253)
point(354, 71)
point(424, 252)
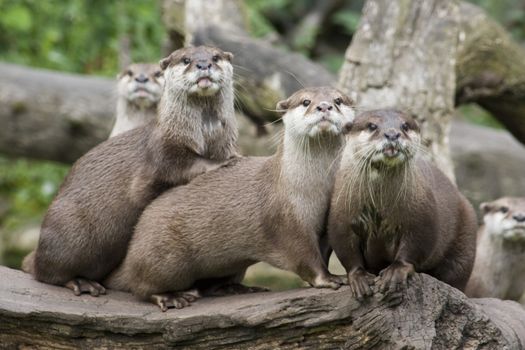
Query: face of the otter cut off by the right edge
point(505, 218)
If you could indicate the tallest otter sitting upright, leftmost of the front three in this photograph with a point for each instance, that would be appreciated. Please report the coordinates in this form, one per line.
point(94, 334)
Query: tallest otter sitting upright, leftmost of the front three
point(87, 227)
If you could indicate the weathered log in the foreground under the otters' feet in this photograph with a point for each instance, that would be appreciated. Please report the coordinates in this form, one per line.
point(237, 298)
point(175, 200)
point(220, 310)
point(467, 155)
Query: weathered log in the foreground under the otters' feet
point(432, 315)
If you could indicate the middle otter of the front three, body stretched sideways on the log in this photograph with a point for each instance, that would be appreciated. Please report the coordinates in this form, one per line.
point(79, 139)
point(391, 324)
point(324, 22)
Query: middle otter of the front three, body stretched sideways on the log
point(255, 209)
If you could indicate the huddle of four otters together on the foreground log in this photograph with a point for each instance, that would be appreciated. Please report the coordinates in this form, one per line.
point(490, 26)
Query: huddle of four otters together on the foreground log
point(168, 210)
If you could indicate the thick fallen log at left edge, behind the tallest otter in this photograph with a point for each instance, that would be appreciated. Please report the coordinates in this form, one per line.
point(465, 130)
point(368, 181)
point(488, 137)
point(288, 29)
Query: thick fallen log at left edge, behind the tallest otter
point(53, 115)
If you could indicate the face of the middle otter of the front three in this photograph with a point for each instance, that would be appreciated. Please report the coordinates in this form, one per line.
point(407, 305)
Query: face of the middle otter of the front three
point(318, 111)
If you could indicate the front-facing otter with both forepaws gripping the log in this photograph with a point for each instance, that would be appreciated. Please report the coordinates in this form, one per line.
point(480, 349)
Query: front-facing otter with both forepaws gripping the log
point(394, 213)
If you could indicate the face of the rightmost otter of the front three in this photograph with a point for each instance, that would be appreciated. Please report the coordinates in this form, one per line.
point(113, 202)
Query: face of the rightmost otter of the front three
point(386, 136)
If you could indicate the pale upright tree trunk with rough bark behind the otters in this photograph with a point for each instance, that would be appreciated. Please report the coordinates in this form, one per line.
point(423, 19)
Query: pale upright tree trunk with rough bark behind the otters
point(403, 55)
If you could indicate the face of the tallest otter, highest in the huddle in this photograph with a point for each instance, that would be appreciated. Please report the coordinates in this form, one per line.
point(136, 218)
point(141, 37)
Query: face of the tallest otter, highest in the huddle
point(200, 71)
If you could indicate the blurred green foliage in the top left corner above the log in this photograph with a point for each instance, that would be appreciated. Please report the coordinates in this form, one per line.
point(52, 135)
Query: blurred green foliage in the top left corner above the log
point(78, 35)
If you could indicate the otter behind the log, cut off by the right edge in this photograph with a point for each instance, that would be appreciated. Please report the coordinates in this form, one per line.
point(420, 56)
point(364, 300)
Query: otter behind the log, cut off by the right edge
point(499, 268)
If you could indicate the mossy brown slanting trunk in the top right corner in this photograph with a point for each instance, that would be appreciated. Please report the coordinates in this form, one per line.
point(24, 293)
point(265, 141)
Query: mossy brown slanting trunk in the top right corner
point(491, 69)
